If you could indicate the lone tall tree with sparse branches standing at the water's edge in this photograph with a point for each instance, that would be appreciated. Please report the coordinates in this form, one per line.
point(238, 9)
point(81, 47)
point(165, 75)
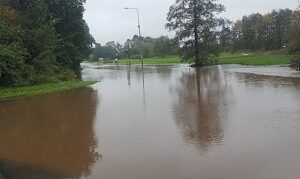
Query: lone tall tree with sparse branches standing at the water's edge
point(195, 23)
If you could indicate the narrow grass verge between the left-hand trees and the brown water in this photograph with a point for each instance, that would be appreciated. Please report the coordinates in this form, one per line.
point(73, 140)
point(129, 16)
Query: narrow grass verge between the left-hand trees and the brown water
point(14, 92)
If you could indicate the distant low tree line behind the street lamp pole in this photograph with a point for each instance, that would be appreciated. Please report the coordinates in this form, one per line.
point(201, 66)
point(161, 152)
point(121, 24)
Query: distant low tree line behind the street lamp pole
point(151, 47)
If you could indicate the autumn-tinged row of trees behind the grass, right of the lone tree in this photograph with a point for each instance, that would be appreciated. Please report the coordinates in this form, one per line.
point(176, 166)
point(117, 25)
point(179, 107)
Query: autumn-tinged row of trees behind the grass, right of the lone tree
point(272, 31)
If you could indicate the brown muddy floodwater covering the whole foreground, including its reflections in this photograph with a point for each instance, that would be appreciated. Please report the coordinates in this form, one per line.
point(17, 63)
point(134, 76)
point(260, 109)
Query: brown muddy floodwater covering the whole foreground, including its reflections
point(163, 122)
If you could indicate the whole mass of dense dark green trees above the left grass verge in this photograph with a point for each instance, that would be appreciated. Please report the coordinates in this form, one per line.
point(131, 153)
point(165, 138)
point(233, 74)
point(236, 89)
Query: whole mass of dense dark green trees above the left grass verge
point(42, 41)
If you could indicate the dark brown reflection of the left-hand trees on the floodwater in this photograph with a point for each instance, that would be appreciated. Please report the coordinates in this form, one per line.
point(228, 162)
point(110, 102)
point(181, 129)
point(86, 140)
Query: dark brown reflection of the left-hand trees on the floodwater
point(48, 136)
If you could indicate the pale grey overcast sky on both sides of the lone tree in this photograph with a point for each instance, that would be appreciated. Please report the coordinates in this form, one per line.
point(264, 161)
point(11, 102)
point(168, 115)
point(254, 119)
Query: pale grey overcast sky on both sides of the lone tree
point(109, 21)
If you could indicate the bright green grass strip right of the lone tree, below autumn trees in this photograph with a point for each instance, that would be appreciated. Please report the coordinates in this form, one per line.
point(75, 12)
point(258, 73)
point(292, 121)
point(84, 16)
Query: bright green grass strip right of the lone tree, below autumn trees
point(257, 59)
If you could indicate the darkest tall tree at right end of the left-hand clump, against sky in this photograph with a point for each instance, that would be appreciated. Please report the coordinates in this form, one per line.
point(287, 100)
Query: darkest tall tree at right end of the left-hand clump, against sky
point(75, 42)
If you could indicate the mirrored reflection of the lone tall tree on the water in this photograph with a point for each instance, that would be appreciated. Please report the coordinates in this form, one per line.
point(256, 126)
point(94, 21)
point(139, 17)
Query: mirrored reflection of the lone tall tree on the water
point(202, 104)
